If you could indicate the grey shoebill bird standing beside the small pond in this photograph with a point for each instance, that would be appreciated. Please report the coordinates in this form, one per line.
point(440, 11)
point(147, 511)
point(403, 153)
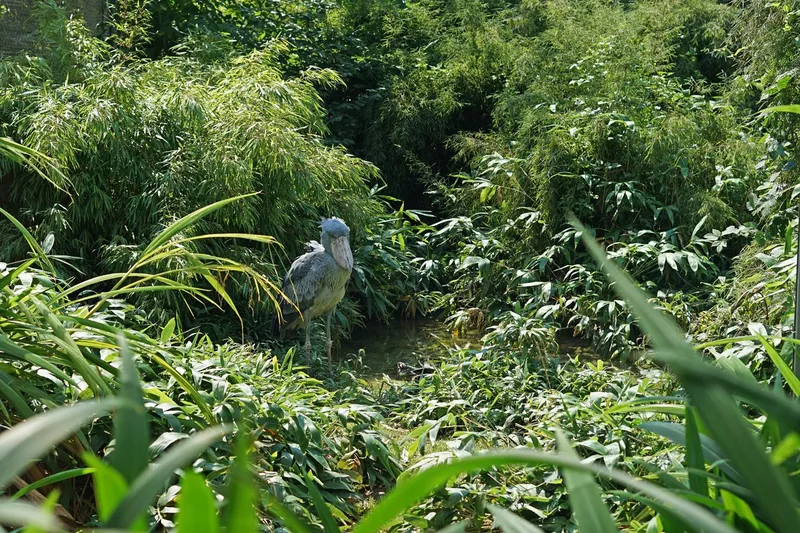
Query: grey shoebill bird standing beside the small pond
point(316, 281)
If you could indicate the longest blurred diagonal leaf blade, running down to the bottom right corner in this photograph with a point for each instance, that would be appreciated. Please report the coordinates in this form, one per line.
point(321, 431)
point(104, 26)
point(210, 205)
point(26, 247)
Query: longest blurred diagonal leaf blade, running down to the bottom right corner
point(713, 401)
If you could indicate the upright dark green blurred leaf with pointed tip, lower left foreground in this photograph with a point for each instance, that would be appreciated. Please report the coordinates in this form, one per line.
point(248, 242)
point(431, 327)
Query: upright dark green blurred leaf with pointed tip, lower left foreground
point(131, 432)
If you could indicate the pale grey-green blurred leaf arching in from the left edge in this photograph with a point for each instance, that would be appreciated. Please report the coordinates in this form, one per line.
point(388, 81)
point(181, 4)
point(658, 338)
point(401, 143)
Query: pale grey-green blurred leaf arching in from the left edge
point(30, 440)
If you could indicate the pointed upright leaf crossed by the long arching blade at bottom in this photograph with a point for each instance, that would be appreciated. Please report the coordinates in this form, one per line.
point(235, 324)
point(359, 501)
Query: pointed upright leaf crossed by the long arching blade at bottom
point(584, 495)
